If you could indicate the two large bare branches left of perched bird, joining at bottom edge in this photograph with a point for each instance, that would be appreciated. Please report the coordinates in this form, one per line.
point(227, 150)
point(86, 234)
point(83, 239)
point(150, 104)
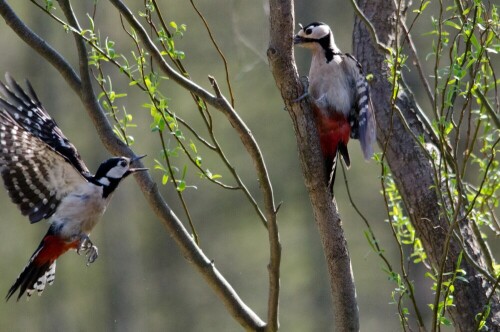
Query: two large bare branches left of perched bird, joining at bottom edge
point(237, 308)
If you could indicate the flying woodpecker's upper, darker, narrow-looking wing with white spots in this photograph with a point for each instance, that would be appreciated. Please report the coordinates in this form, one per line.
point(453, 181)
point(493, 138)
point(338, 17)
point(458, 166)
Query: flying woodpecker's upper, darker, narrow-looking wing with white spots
point(27, 110)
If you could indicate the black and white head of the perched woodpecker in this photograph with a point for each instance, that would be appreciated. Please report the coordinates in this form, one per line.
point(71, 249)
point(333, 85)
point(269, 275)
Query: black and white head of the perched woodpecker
point(315, 36)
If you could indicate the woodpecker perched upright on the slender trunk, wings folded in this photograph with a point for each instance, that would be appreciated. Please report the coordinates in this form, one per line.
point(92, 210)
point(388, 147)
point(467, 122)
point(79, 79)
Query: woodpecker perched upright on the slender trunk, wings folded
point(341, 99)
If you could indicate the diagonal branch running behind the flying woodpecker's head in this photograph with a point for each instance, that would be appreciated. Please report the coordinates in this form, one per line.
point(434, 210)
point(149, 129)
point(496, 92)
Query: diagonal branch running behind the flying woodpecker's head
point(238, 309)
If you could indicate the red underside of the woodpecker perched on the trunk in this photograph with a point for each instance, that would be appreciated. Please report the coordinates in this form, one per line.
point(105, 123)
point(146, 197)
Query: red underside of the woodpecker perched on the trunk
point(333, 129)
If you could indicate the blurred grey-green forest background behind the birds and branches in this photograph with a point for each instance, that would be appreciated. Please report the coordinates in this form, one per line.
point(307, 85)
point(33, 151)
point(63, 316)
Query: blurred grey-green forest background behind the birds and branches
point(140, 281)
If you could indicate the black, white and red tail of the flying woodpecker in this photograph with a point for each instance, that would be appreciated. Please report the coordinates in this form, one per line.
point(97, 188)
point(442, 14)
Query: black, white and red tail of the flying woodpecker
point(41, 267)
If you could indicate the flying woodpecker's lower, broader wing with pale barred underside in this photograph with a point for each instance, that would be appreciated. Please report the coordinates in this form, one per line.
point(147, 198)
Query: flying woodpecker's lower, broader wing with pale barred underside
point(36, 176)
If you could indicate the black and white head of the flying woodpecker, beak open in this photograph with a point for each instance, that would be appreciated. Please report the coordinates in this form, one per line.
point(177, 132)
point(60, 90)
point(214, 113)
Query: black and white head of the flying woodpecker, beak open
point(112, 171)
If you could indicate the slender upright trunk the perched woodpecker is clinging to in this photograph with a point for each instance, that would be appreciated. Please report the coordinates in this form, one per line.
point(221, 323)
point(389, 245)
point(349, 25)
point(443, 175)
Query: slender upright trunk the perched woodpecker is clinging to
point(281, 60)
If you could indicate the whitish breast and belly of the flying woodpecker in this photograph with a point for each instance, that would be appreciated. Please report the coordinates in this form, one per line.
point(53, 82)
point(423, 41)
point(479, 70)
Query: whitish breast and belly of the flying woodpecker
point(80, 211)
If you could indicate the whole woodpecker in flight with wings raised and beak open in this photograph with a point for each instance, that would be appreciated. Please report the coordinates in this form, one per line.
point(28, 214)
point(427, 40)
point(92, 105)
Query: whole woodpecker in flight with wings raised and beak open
point(45, 176)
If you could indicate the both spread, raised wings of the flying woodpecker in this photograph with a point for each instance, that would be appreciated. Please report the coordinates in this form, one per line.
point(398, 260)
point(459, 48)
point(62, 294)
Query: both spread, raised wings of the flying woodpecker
point(36, 173)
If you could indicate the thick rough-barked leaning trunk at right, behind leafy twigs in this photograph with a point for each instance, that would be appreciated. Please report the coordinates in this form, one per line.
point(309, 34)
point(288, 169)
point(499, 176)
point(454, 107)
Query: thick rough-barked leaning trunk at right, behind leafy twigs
point(413, 174)
